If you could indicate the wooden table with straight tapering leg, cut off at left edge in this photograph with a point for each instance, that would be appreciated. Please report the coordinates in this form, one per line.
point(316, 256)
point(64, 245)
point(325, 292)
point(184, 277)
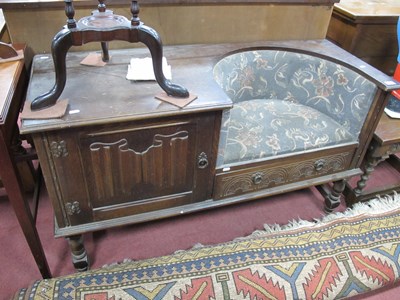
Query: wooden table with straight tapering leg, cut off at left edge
point(12, 86)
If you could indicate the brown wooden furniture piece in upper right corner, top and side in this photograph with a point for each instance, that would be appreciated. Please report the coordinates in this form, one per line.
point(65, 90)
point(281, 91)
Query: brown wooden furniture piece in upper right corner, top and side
point(367, 29)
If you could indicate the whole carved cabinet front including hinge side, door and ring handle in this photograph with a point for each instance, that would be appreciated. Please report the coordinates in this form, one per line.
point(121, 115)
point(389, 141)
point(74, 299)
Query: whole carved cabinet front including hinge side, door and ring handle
point(111, 171)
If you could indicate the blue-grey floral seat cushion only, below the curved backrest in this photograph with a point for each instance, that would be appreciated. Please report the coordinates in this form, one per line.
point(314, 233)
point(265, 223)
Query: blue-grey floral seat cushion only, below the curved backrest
point(261, 128)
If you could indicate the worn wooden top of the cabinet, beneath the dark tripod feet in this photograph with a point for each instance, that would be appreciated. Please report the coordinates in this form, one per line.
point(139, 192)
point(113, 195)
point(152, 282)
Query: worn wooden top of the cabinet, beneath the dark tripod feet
point(103, 95)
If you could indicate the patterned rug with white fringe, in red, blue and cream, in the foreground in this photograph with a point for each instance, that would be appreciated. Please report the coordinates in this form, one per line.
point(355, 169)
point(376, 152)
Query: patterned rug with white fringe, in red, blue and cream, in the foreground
point(342, 255)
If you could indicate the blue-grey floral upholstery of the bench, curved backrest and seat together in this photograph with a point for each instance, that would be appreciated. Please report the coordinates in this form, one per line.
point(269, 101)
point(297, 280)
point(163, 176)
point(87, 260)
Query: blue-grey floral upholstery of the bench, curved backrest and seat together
point(288, 102)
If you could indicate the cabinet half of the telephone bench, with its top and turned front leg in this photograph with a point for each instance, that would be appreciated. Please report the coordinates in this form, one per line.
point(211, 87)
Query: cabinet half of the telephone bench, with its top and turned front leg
point(159, 160)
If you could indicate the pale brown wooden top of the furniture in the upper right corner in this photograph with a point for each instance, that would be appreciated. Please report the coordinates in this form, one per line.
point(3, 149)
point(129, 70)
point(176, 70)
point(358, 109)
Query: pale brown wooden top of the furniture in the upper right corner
point(361, 10)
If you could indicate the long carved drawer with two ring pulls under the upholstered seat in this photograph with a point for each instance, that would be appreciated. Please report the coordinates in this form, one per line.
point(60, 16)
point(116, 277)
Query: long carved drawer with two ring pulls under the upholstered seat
point(277, 172)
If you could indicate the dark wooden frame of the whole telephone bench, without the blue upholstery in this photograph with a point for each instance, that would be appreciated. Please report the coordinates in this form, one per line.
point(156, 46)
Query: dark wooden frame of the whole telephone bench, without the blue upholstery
point(119, 156)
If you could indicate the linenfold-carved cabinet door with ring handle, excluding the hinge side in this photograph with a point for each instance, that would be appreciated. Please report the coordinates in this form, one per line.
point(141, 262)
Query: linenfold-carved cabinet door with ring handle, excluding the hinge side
point(137, 168)
